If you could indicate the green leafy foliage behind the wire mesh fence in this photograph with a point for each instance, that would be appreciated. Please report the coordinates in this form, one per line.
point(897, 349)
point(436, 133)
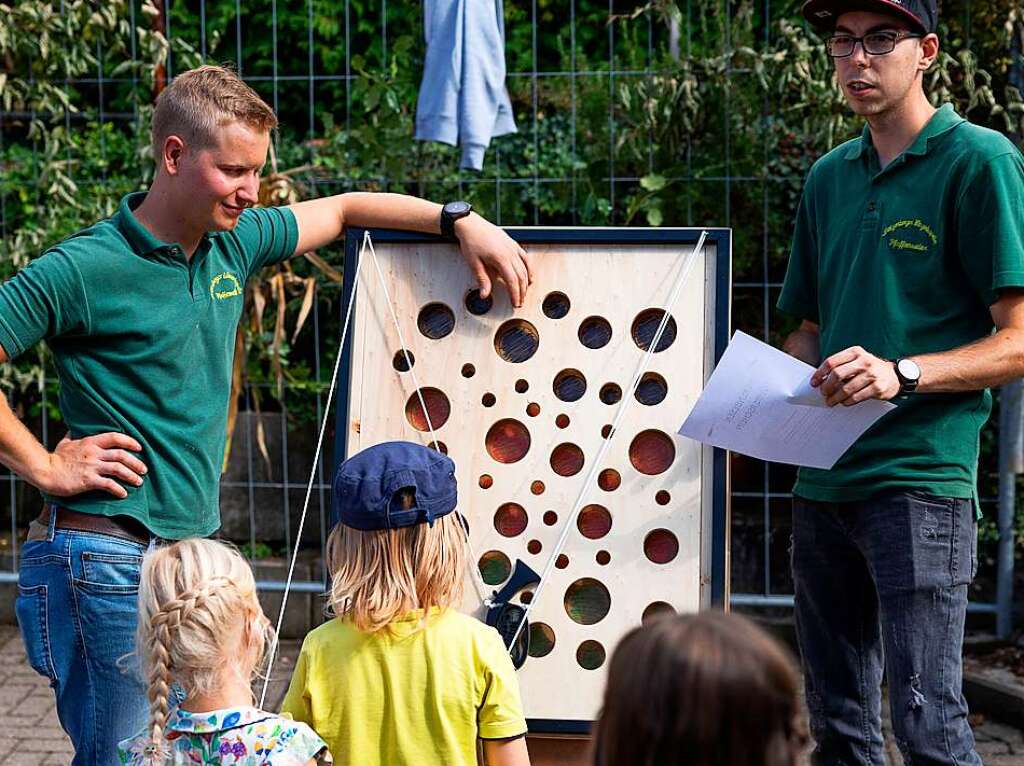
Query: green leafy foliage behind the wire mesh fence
point(716, 127)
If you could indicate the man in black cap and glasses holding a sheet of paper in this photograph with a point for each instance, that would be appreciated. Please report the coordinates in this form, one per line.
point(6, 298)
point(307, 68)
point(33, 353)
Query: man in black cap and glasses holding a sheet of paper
point(908, 253)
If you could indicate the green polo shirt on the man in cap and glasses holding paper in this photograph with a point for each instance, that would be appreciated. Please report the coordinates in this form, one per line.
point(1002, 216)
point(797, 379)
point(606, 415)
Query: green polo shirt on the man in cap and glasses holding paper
point(907, 262)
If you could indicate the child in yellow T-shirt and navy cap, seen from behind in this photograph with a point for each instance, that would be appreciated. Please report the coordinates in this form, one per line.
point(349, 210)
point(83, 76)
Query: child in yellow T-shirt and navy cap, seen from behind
point(400, 676)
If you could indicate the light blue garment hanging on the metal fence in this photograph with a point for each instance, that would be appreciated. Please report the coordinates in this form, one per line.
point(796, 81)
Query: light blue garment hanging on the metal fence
point(463, 100)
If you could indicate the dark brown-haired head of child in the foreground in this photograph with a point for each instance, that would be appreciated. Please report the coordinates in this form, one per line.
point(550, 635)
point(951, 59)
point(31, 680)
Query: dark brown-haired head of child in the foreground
point(708, 690)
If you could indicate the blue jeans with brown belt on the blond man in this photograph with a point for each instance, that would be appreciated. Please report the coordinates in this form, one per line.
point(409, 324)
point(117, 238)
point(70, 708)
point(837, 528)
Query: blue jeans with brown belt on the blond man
point(77, 610)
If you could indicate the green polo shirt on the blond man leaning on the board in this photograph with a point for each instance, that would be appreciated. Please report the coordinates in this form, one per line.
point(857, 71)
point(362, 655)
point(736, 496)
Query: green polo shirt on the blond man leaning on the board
point(144, 342)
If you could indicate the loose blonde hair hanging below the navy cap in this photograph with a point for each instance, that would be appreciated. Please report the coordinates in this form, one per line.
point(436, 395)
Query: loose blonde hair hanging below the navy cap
point(379, 576)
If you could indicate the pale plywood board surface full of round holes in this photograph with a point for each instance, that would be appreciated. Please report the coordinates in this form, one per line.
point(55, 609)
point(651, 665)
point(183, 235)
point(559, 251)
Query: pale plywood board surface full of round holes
point(639, 546)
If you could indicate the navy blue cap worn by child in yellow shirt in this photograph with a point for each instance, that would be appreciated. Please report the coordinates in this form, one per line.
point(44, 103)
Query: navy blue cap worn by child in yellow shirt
point(368, 488)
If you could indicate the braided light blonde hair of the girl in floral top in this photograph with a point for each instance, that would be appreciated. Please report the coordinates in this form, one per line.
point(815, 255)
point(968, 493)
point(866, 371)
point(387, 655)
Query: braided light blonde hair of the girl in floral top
point(199, 618)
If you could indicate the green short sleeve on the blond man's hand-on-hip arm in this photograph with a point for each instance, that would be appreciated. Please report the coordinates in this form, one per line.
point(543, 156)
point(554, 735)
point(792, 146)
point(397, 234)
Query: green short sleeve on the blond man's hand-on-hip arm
point(46, 300)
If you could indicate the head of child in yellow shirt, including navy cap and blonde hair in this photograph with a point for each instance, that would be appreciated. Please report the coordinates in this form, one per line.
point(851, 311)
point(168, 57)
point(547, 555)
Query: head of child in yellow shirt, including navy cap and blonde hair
point(397, 545)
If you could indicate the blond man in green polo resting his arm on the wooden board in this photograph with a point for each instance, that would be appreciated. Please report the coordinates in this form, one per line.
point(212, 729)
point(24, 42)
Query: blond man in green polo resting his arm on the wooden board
point(141, 312)
